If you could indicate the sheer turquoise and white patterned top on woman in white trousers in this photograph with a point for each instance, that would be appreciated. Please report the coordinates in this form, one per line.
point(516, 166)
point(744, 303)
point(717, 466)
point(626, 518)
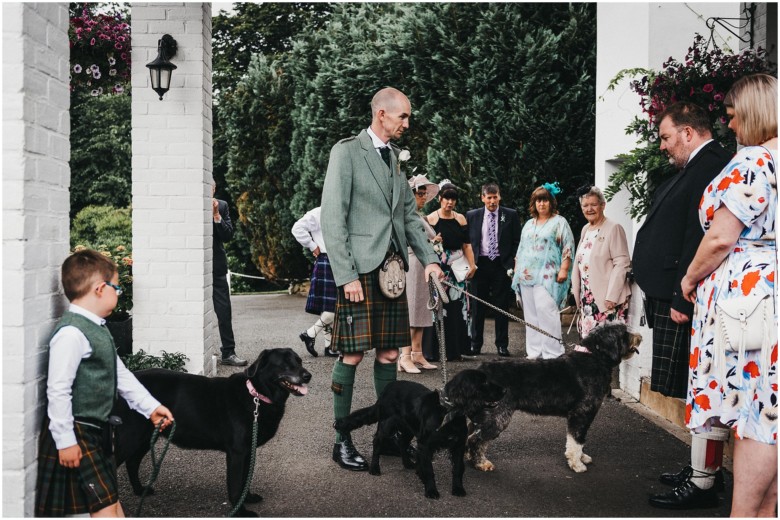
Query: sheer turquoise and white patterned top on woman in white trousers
point(542, 250)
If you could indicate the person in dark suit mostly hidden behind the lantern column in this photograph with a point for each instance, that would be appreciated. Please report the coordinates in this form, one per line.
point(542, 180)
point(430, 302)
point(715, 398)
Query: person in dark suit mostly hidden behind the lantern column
point(223, 231)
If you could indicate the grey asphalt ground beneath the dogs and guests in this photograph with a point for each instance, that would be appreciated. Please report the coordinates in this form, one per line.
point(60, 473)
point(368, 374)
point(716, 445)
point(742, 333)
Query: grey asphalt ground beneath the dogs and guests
point(297, 478)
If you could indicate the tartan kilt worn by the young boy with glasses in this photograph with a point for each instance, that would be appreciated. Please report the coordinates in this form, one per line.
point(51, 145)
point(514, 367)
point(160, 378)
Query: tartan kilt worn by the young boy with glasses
point(69, 491)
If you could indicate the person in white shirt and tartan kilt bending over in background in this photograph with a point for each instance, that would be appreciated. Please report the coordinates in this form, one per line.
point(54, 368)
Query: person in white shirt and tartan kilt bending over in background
point(321, 300)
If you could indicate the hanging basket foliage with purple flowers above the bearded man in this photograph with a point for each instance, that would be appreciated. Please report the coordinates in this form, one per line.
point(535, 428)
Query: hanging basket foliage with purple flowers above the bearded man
point(703, 77)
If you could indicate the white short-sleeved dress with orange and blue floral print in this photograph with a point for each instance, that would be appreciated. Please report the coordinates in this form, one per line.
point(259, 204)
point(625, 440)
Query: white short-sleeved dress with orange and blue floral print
point(744, 397)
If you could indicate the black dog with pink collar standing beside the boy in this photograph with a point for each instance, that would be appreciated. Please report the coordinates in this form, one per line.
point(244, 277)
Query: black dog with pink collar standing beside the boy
point(215, 413)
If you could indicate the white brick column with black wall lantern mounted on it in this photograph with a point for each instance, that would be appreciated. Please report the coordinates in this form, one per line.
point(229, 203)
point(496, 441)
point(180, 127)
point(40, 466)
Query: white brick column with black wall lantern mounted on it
point(172, 162)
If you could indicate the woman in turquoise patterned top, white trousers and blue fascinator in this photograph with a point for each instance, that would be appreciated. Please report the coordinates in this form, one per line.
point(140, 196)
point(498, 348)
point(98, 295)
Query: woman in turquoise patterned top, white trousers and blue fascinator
point(542, 270)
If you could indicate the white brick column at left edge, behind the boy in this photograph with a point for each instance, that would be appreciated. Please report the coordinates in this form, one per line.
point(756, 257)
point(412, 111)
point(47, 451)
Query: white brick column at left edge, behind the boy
point(36, 176)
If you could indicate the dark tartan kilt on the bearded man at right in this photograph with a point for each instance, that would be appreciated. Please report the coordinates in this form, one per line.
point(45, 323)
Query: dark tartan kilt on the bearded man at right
point(671, 350)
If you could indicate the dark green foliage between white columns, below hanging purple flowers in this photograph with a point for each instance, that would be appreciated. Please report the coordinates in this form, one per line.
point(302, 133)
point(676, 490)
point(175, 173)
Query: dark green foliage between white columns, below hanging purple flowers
point(101, 151)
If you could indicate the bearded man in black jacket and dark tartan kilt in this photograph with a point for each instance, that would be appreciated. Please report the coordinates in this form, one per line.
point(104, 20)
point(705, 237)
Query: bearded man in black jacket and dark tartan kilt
point(665, 245)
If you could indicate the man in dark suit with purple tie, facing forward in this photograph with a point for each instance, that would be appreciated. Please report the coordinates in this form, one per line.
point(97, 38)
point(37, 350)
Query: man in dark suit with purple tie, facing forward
point(494, 232)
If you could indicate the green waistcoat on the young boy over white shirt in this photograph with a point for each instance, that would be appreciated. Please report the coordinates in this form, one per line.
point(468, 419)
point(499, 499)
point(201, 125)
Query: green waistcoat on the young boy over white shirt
point(94, 389)
